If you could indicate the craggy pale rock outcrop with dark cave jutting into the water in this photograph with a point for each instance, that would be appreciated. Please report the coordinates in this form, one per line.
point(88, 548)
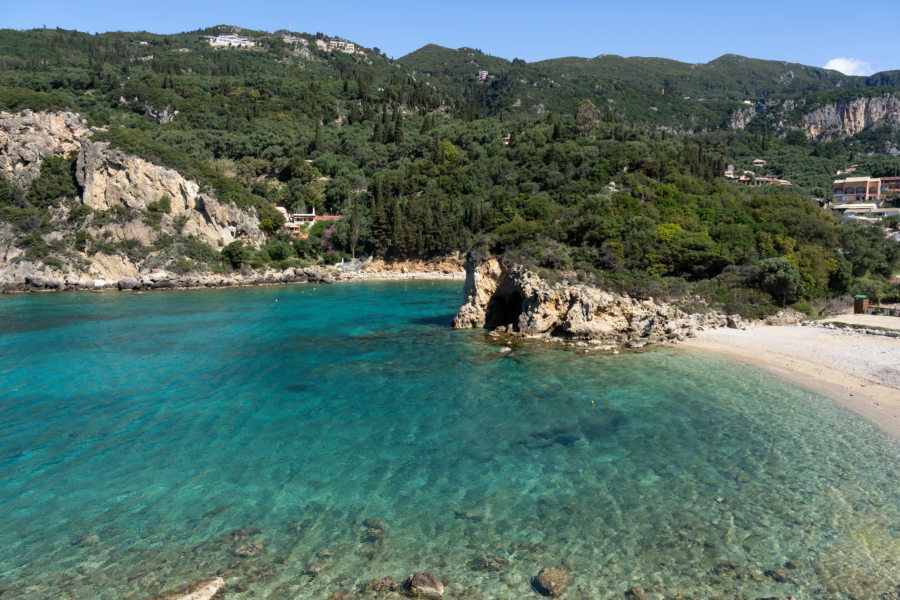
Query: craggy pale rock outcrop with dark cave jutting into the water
point(516, 301)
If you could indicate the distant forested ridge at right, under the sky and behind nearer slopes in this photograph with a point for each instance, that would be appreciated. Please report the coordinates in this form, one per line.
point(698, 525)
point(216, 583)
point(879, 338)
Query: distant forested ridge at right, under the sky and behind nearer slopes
point(647, 91)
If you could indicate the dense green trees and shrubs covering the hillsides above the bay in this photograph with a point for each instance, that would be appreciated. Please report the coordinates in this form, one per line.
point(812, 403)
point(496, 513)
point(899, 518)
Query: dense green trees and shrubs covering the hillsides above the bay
point(413, 155)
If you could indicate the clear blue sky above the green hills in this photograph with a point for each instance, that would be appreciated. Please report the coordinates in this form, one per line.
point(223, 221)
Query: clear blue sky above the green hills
point(804, 31)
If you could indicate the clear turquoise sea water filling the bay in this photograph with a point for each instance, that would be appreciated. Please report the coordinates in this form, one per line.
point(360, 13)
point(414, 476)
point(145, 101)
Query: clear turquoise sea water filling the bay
point(306, 439)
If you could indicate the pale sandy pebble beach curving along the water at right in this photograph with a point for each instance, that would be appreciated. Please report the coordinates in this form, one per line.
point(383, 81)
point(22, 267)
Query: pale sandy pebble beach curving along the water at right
point(859, 371)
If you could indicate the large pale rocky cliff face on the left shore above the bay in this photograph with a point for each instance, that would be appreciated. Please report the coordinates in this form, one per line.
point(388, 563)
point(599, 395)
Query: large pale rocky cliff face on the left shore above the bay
point(109, 179)
